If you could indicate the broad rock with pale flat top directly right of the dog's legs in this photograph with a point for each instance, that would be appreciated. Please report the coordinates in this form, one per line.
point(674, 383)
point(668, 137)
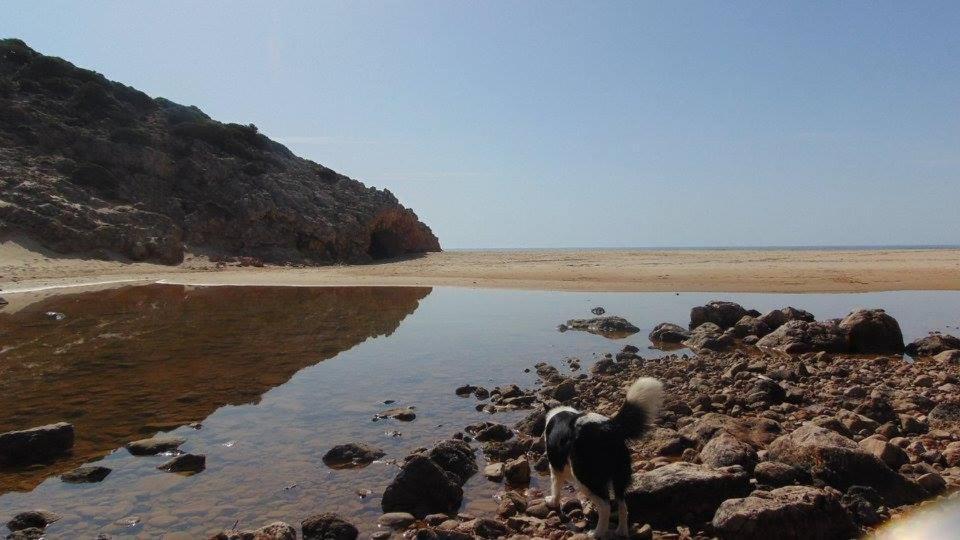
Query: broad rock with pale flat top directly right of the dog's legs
point(683, 492)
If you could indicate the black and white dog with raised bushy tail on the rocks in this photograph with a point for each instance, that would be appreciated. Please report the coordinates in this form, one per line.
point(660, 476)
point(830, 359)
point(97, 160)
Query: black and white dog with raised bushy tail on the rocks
point(591, 450)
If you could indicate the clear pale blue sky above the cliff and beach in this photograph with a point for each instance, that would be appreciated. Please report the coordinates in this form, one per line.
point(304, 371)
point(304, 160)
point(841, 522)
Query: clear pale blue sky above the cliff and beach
point(575, 124)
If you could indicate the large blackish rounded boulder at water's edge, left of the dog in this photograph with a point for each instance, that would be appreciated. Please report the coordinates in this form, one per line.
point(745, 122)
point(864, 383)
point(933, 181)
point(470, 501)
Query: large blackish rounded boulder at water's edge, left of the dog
point(422, 487)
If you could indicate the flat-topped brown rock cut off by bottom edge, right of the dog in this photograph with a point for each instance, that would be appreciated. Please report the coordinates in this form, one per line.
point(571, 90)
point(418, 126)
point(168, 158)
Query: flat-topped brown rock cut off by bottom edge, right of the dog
point(791, 512)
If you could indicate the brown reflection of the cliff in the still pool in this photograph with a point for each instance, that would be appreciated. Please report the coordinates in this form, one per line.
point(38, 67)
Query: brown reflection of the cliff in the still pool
point(128, 362)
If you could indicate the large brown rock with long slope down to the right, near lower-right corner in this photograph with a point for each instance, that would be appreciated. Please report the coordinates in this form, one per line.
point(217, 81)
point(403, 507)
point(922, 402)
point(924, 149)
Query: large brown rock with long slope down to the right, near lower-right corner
point(837, 461)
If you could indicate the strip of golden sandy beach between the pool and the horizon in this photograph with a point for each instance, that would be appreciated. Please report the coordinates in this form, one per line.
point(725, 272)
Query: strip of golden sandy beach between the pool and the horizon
point(24, 266)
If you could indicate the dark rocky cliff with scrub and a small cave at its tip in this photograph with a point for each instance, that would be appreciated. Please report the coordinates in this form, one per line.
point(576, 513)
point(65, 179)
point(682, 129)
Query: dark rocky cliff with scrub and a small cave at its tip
point(89, 165)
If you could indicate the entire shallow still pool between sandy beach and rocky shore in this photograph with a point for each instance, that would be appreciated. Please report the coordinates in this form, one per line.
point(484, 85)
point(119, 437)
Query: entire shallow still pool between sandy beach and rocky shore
point(278, 375)
